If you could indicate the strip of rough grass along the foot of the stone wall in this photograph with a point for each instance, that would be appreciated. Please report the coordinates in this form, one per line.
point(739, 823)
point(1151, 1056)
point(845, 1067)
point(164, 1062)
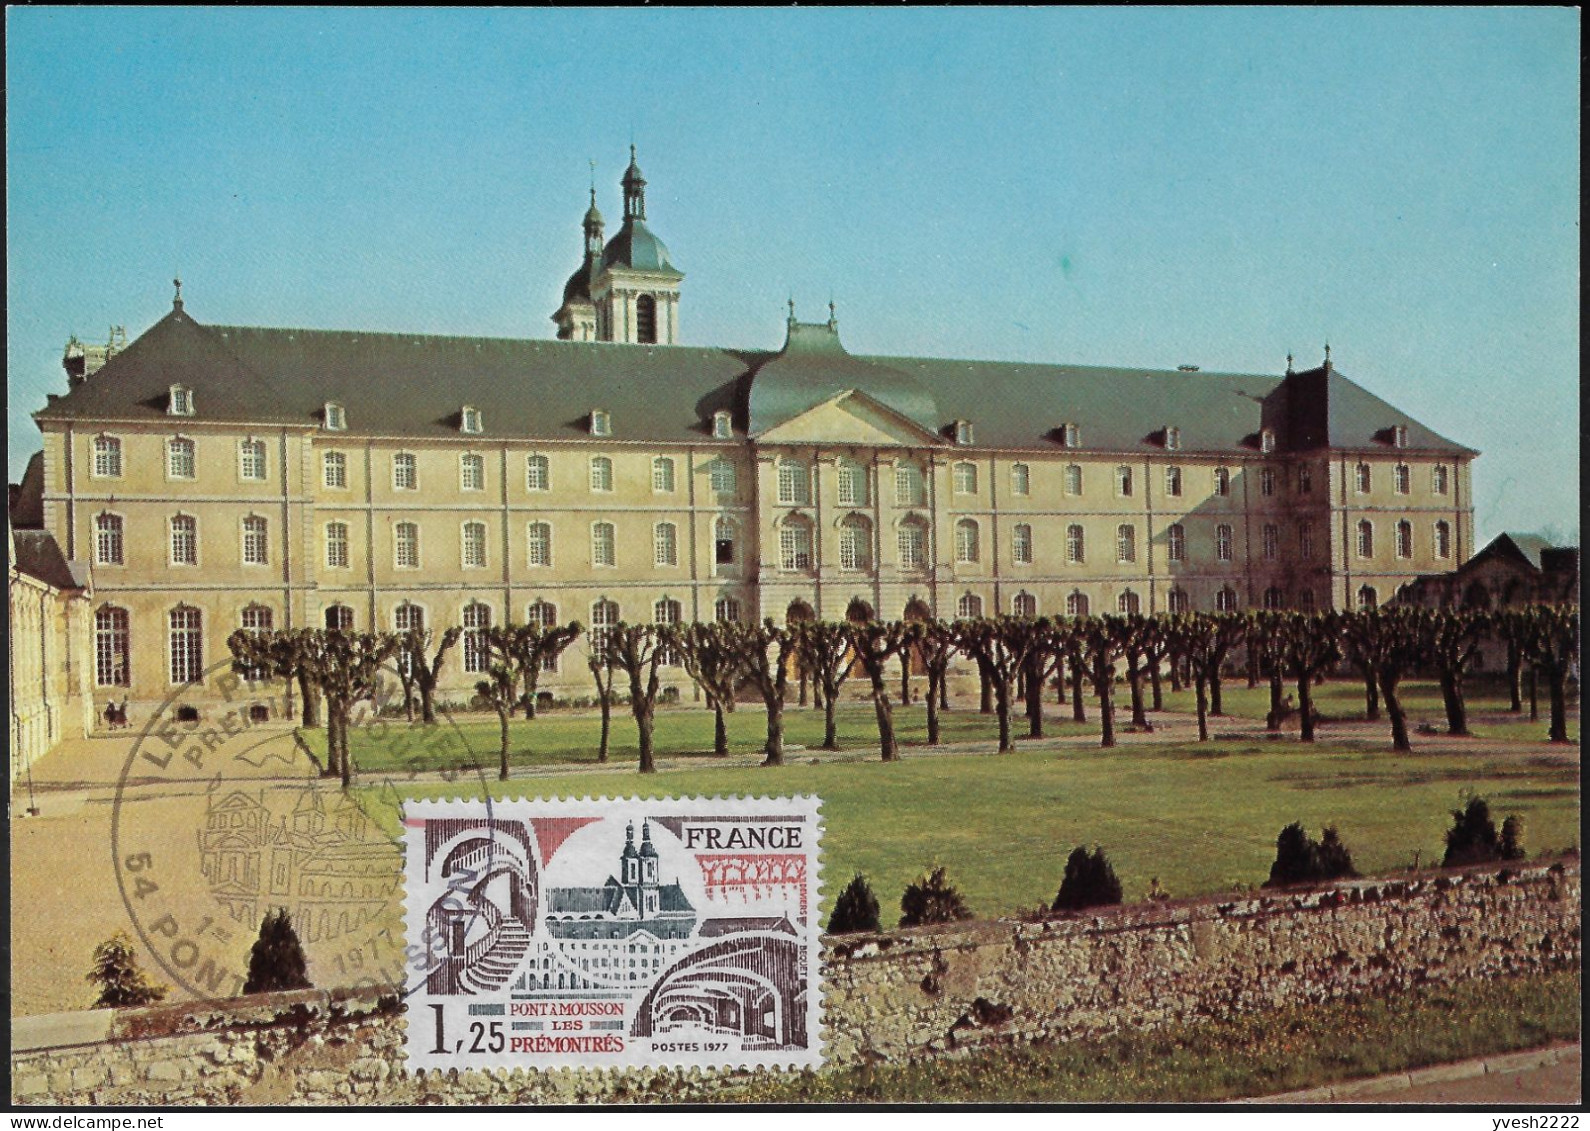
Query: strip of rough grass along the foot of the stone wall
point(1257, 1055)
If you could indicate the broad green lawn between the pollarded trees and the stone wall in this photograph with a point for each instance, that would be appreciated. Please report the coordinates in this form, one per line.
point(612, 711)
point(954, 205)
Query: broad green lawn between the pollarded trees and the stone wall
point(1200, 818)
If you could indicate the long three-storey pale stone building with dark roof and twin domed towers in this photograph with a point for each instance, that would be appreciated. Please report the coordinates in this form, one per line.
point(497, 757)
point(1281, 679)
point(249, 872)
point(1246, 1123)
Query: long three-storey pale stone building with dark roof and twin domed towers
point(239, 476)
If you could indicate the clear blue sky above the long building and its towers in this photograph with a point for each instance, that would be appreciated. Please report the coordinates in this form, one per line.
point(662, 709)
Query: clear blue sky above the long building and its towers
point(1114, 187)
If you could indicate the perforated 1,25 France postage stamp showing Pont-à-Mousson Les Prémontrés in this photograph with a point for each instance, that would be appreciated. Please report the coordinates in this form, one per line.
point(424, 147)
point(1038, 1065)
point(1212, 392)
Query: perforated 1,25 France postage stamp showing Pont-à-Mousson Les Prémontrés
point(615, 933)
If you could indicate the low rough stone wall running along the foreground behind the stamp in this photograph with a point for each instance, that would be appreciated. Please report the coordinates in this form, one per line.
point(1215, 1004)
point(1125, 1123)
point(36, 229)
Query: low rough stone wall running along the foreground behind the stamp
point(891, 997)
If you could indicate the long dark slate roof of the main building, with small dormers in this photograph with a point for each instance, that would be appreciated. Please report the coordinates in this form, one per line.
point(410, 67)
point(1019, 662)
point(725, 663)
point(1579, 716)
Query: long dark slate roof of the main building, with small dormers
point(538, 389)
